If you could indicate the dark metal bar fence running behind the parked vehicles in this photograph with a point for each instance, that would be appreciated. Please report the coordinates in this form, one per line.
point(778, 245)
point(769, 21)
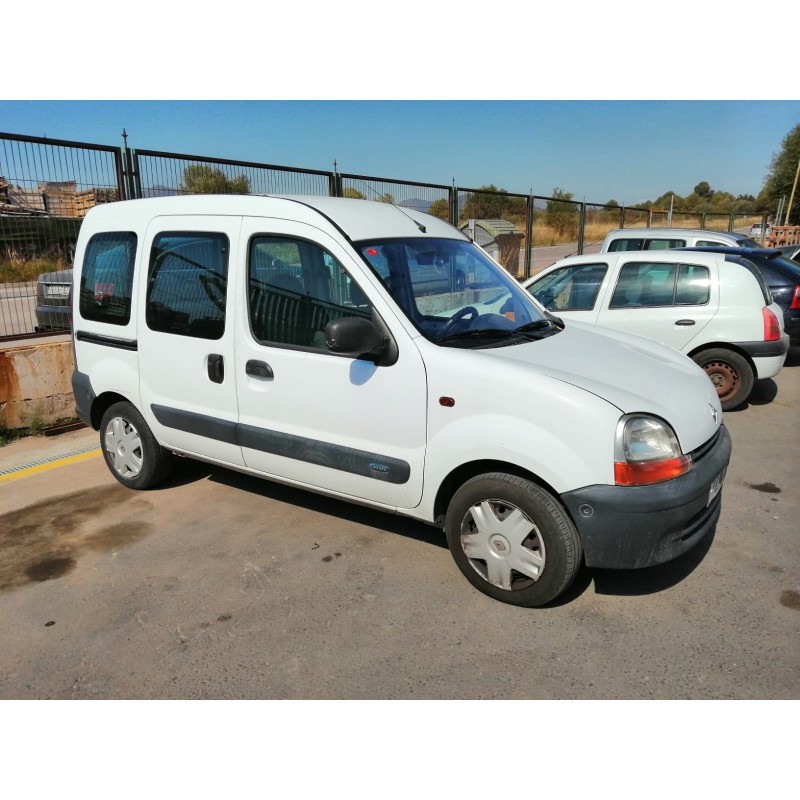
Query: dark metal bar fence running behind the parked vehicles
point(48, 185)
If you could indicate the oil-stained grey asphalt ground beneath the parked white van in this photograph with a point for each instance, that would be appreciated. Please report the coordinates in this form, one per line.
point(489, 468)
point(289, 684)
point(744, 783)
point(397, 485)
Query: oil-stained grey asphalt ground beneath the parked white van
point(220, 585)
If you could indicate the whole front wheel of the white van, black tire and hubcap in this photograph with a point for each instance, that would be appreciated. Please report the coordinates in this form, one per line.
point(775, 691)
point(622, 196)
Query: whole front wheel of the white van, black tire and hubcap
point(528, 551)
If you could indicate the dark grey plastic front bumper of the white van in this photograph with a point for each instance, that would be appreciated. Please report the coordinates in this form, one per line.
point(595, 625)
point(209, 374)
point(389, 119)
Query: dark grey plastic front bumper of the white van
point(630, 527)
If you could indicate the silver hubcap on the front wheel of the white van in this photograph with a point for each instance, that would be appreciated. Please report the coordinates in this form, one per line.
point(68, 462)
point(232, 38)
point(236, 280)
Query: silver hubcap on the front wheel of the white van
point(502, 544)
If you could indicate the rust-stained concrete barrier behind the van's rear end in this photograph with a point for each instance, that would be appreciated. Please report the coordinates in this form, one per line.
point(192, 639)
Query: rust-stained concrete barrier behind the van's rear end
point(35, 382)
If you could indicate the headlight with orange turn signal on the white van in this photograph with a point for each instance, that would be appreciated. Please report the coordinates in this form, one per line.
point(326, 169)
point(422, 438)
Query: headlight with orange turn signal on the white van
point(646, 450)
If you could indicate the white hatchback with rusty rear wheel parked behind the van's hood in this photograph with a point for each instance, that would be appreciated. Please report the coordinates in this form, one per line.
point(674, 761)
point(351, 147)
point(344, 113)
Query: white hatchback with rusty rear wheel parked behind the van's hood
point(714, 307)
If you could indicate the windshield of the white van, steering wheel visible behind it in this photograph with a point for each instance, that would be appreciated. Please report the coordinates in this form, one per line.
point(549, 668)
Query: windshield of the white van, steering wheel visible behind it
point(455, 295)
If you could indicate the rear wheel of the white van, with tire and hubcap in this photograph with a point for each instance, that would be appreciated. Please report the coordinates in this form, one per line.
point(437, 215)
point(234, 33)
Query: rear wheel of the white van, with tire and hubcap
point(131, 451)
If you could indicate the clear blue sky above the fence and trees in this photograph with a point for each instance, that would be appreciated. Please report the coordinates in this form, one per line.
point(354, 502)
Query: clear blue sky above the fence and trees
point(626, 150)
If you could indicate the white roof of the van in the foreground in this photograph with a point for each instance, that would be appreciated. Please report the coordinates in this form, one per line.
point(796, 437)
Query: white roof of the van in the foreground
point(356, 219)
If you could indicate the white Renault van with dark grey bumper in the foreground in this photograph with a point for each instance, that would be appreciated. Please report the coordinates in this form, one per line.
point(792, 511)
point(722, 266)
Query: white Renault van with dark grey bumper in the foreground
point(288, 338)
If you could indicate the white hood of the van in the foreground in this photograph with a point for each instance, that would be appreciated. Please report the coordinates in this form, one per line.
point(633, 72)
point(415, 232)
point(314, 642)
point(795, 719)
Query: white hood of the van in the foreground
point(633, 373)
